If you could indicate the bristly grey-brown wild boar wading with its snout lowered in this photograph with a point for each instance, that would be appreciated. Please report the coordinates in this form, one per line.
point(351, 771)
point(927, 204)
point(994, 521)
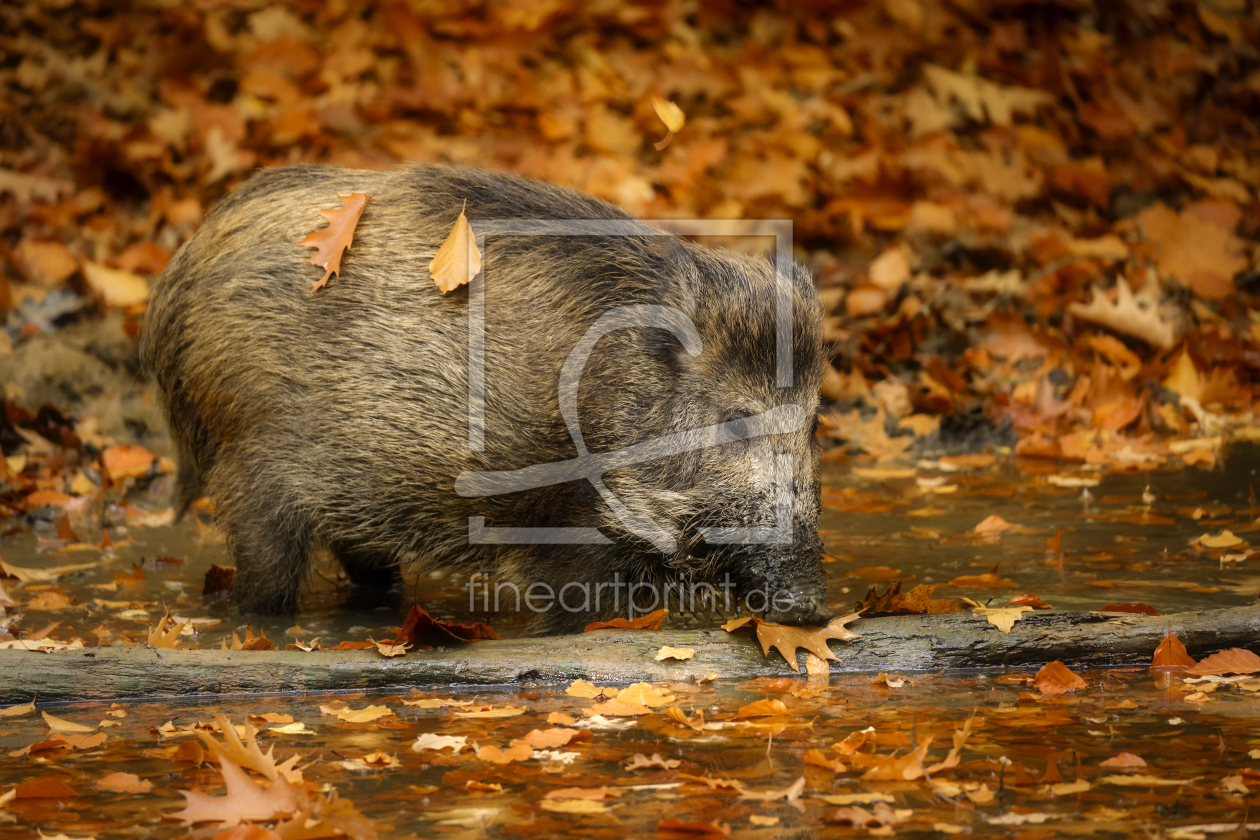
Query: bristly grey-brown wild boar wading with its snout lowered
point(340, 419)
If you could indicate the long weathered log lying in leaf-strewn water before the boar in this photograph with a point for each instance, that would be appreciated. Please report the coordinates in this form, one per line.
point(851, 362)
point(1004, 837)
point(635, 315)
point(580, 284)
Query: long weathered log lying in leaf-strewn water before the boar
point(902, 644)
